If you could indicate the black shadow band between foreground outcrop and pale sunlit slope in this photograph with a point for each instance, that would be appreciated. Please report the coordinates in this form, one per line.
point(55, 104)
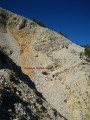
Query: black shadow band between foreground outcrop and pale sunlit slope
point(7, 63)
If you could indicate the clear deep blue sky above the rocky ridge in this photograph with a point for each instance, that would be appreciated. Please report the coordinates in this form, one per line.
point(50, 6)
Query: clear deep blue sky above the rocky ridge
point(71, 17)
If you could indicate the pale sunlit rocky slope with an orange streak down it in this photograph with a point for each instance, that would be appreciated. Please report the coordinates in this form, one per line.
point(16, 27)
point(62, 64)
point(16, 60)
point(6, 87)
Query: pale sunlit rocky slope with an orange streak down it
point(51, 61)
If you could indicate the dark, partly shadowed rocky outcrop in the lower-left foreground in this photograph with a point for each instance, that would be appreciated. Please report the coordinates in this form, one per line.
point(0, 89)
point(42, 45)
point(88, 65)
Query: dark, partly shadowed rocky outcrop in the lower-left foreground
point(19, 99)
